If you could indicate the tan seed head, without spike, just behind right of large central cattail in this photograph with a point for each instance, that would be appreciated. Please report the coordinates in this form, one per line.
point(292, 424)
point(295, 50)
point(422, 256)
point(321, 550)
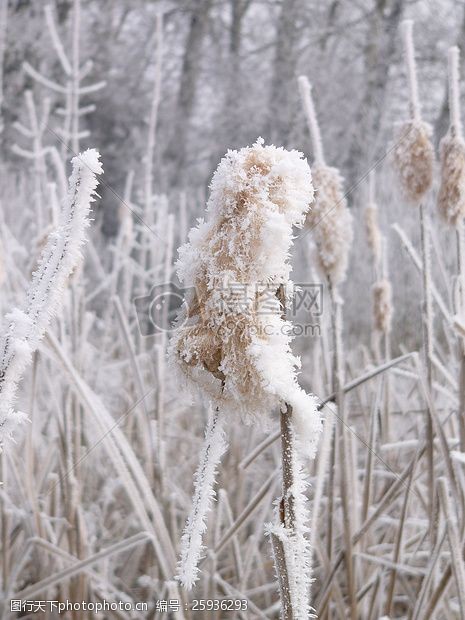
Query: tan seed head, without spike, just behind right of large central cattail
point(331, 223)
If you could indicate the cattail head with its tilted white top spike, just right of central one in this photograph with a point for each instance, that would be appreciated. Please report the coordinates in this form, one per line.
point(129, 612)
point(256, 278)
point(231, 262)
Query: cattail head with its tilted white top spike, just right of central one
point(329, 219)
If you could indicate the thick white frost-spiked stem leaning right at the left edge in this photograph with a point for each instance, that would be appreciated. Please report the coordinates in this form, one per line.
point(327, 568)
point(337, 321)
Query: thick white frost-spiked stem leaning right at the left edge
point(24, 327)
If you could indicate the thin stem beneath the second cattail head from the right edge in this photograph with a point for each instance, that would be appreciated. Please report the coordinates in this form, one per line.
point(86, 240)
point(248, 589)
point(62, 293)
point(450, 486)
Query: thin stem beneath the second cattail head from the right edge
point(428, 346)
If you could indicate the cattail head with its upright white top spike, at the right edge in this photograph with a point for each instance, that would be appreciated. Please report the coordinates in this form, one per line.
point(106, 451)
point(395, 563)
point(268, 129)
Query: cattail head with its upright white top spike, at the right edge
point(451, 196)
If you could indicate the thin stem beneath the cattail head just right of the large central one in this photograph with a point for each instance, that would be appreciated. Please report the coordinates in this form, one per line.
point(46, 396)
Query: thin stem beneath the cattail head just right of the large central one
point(338, 381)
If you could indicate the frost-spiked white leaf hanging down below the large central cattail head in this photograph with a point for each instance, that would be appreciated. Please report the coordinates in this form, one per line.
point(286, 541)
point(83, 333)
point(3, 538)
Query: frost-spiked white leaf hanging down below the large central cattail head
point(191, 541)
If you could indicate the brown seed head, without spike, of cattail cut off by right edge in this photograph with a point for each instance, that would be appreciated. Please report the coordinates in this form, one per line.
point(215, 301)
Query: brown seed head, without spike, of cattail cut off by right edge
point(451, 196)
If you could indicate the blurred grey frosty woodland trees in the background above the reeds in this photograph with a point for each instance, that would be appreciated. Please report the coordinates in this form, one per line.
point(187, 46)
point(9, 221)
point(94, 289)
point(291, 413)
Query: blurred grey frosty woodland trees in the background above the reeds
point(229, 70)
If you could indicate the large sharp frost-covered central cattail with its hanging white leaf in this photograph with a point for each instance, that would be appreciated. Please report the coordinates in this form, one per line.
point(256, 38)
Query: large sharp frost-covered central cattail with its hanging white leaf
point(232, 342)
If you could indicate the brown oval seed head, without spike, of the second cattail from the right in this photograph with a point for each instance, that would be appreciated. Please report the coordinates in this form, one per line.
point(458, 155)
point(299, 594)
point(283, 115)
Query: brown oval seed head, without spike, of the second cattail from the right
point(413, 159)
